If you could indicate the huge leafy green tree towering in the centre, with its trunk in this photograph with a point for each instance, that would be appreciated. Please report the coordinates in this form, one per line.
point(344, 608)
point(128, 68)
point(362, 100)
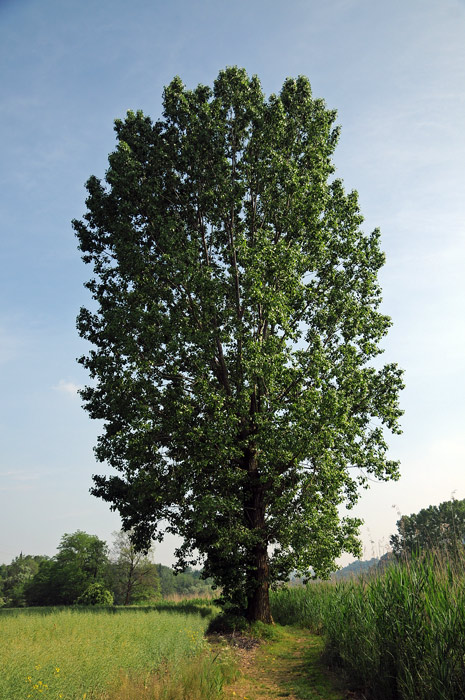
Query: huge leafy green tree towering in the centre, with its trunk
point(234, 323)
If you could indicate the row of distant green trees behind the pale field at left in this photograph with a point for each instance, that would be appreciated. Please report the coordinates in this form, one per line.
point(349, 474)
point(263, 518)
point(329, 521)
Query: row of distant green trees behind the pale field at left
point(86, 571)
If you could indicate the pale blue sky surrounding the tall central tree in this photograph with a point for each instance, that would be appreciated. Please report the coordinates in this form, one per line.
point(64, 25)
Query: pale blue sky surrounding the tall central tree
point(396, 74)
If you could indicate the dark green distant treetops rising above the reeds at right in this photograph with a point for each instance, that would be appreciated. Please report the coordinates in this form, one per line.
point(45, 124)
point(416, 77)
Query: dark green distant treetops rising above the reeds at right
point(439, 527)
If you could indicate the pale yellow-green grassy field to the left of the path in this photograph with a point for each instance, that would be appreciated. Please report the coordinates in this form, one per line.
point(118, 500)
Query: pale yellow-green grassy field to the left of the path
point(78, 654)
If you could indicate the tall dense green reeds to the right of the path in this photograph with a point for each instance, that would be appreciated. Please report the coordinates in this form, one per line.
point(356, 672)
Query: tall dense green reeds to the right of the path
point(398, 635)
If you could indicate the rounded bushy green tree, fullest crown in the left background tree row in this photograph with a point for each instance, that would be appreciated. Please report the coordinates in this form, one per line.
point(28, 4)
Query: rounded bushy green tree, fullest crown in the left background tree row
point(81, 560)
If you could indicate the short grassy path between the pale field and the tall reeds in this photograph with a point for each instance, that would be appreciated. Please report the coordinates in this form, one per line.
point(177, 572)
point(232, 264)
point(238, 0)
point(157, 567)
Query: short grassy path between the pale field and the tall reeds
point(287, 666)
